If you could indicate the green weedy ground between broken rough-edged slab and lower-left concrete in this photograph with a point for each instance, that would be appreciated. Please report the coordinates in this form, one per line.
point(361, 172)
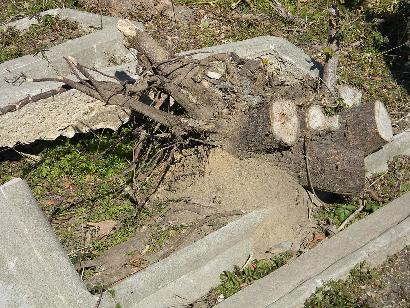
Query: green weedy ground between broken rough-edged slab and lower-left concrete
point(82, 181)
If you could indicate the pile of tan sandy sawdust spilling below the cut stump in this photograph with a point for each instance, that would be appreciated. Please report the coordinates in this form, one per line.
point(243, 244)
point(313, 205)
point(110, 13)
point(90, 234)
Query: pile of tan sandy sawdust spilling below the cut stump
point(231, 184)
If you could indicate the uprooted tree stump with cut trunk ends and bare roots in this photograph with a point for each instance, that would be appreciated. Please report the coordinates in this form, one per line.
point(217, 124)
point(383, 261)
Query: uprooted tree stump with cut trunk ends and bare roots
point(234, 103)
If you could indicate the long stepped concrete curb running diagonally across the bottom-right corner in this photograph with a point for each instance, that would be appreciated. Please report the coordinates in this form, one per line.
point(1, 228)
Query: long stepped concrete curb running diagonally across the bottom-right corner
point(372, 239)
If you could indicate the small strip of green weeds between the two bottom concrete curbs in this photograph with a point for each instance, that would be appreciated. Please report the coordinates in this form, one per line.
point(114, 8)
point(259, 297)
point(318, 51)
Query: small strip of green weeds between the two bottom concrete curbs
point(233, 282)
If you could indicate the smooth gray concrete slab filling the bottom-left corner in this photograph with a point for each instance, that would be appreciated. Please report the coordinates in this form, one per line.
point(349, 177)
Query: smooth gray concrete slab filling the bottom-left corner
point(34, 269)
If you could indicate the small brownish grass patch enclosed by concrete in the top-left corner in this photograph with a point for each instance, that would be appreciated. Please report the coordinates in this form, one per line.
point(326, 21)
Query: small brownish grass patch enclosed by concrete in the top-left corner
point(48, 32)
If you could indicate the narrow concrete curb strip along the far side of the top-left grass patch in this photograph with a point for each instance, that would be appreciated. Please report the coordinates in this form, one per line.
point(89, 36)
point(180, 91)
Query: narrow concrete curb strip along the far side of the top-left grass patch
point(87, 21)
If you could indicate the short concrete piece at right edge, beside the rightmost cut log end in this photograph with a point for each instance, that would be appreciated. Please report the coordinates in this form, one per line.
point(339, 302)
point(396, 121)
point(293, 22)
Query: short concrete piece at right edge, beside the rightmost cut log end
point(377, 162)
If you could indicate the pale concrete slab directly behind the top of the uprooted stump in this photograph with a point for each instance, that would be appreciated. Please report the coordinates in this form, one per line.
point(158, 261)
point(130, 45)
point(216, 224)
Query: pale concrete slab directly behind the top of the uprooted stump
point(282, 54)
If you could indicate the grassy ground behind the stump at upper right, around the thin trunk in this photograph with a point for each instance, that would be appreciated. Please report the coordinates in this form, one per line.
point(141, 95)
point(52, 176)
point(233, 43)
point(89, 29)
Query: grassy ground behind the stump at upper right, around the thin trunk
point(366, 60)
